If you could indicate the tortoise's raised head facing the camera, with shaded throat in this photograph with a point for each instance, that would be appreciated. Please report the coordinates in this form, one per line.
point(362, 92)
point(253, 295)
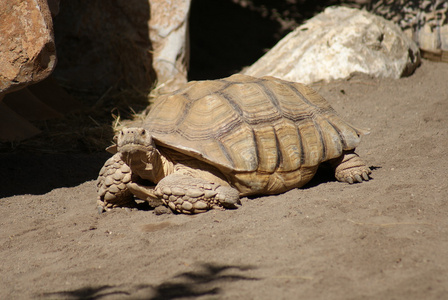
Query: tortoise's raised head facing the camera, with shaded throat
point(137, 148)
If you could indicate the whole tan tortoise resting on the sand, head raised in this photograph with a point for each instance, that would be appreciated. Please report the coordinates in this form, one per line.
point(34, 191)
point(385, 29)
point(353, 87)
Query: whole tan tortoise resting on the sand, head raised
point(211, 142)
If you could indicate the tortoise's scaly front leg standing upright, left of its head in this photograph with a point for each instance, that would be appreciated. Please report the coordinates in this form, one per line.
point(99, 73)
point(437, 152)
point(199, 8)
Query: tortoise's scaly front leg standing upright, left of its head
point(112, 184)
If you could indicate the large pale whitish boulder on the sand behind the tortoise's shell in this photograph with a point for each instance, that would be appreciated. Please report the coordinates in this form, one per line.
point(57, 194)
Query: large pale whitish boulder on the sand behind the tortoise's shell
point(337, 43)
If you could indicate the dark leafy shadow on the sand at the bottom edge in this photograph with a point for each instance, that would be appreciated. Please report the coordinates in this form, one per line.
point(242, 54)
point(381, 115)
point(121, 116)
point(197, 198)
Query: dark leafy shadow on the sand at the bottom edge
point(201, 282)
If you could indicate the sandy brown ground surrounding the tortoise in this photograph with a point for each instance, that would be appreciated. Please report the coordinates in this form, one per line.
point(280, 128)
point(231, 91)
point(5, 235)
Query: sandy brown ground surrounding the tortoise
point(383, 239)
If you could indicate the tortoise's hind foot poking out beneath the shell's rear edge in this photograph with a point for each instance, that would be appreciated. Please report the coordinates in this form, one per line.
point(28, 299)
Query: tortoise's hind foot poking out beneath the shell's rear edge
point(350, 168)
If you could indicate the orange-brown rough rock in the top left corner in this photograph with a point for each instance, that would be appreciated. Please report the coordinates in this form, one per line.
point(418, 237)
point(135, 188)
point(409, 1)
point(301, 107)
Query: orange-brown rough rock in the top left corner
point(27, 50)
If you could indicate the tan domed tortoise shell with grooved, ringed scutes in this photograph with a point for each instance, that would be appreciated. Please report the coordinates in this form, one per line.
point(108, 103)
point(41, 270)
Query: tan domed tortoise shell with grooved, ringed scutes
point(265, 134)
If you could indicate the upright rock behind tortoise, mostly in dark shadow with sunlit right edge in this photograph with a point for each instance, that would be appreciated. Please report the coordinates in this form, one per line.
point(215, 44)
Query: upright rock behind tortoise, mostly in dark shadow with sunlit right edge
point(124, 44)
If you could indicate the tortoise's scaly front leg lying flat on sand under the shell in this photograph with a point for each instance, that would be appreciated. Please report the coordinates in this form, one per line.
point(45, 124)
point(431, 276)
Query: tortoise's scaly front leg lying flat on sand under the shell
point(187, 194)
